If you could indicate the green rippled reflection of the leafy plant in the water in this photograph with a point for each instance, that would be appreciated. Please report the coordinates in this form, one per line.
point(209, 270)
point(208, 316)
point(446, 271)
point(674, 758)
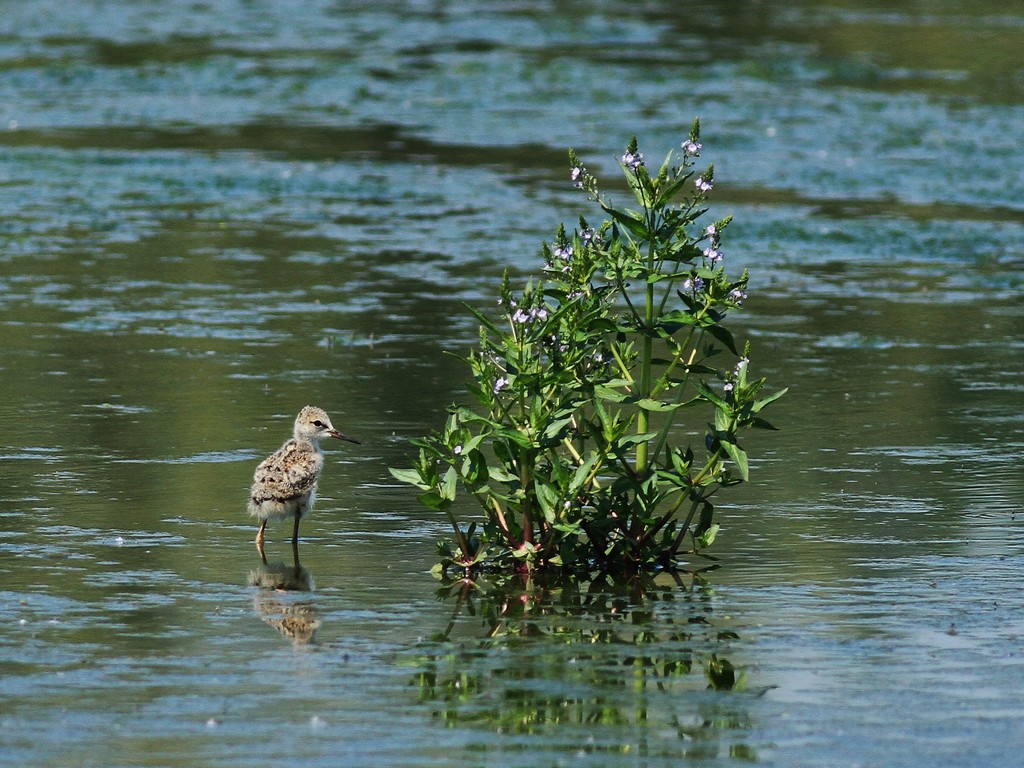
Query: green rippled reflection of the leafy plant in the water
point(636, 666)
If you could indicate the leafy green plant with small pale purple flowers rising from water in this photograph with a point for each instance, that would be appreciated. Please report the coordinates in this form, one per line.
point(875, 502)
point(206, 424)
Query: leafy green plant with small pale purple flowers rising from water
point(581, 389)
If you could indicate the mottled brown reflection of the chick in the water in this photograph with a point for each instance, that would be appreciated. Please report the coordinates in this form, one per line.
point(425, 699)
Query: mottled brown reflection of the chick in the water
point(296, 620)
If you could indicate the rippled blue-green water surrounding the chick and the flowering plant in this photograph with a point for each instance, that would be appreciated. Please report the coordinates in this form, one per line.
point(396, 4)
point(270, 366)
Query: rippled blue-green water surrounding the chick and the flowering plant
point(215, 214)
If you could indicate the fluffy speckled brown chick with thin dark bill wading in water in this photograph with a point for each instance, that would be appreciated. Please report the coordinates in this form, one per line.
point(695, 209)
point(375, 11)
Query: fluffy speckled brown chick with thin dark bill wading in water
point(285, 484)
